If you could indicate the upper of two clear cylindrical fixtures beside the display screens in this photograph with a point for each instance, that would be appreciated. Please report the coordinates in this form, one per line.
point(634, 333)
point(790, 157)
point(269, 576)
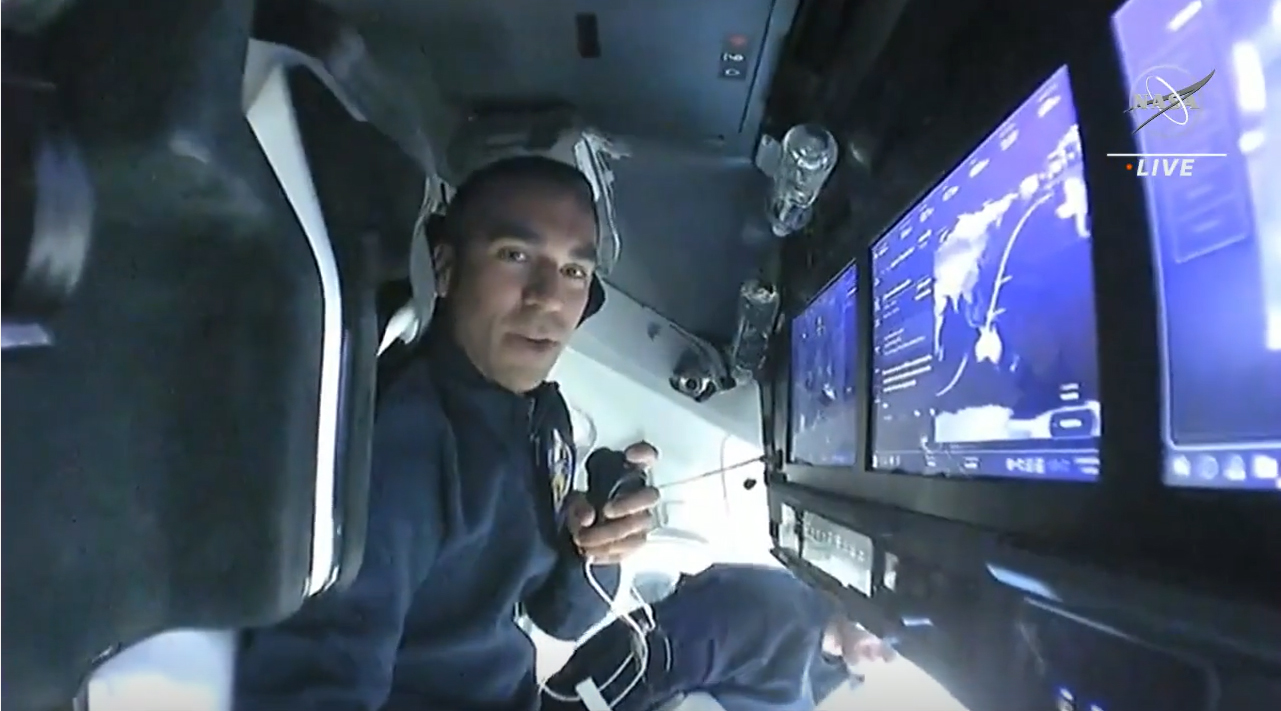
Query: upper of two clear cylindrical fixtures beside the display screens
point(808, 157)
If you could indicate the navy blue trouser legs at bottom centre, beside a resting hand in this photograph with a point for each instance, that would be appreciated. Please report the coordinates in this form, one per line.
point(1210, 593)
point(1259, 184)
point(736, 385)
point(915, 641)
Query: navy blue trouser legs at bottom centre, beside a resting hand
point(749, 636)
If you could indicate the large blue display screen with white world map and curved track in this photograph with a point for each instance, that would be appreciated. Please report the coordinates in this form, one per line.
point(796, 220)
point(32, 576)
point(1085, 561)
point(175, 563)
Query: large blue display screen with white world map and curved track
point(984, 341)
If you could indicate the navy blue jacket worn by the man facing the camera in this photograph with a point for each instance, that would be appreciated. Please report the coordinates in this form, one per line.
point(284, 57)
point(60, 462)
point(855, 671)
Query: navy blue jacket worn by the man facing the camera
point(464, 527)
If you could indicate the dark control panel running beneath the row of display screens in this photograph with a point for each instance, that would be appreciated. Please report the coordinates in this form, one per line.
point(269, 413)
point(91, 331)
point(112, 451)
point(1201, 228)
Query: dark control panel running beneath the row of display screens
point(1008, 630)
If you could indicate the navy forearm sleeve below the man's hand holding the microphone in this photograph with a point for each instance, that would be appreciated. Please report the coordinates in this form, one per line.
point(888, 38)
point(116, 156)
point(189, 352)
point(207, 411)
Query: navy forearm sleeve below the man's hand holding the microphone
point(567, 605)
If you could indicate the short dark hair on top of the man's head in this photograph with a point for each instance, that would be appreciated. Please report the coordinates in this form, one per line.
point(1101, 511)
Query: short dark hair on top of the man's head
point(525, 170)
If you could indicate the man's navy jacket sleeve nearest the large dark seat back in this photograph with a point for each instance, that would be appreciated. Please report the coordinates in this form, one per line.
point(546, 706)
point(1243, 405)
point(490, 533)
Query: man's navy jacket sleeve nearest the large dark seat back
point(338, 654)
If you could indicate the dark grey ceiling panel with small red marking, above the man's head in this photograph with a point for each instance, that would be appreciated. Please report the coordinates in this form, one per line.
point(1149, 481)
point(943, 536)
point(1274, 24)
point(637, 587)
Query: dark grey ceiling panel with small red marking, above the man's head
point(650, 69)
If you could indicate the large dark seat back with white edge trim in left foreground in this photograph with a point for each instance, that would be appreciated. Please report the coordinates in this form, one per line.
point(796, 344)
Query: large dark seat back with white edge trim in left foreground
point(190, 449)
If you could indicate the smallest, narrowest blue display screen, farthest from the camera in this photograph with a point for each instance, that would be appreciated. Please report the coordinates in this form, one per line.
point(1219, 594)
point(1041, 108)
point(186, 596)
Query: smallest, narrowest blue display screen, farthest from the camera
point(824, 373)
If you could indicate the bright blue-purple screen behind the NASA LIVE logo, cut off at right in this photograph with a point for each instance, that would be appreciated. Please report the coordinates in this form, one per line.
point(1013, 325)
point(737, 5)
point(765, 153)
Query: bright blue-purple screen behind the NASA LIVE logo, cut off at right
point(1216, 231)
